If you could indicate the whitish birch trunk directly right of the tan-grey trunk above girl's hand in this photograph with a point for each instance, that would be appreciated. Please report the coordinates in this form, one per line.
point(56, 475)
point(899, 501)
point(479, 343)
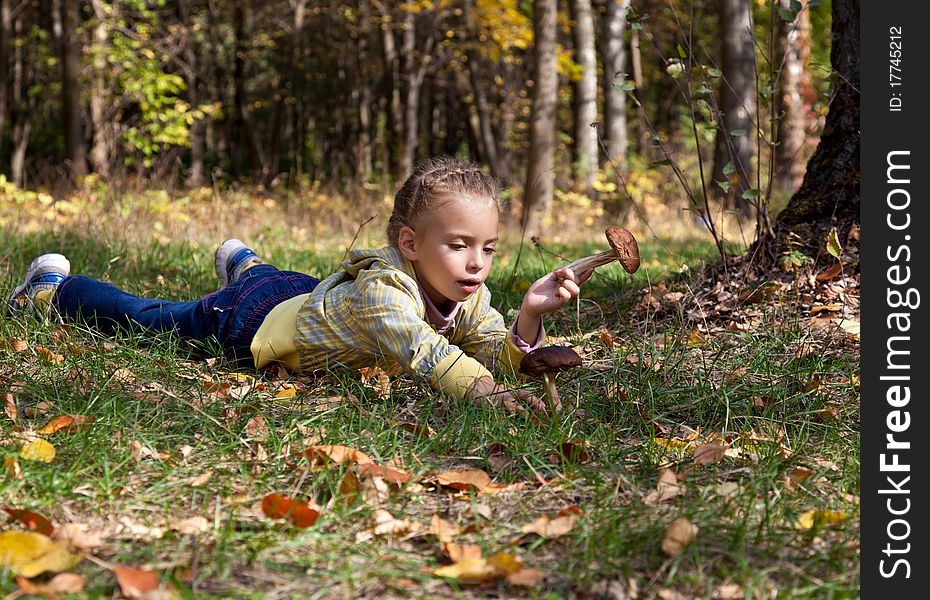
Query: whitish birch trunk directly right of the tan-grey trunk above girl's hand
point(586, 151)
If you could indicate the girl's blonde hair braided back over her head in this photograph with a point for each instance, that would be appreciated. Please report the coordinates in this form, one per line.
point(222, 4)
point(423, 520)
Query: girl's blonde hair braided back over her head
point(441, 177)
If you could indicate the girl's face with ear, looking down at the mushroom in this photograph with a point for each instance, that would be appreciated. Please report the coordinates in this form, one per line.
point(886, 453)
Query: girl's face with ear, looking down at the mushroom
point(452, 248)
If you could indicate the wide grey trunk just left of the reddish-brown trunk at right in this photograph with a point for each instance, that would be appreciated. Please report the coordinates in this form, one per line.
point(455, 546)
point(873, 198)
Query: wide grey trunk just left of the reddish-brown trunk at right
point(736, 122)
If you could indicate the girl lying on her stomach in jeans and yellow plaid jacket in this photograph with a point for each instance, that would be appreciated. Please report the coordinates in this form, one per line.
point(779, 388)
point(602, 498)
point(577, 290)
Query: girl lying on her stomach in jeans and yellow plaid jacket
point(418, 305)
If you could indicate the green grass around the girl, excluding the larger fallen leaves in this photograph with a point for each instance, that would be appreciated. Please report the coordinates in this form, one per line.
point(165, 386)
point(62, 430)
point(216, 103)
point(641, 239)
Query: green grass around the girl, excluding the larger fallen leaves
point(783, 397)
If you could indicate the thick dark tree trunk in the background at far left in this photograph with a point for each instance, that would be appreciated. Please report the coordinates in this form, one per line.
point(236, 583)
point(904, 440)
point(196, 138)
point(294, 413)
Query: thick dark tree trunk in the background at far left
point(69, 69)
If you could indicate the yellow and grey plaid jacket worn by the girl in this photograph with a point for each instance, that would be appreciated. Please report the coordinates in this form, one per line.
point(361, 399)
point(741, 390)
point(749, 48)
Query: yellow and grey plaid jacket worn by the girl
point(371, 313)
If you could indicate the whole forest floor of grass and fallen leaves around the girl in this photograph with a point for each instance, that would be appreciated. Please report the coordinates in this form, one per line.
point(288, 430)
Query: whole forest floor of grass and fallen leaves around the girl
point(708, 448)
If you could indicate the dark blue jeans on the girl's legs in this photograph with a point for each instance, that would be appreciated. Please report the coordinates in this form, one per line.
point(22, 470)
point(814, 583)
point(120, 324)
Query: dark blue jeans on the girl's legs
point(232, 315)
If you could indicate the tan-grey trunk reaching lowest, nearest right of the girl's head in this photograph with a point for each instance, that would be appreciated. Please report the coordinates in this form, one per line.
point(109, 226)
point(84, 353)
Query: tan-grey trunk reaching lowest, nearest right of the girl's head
point(540, 172)
